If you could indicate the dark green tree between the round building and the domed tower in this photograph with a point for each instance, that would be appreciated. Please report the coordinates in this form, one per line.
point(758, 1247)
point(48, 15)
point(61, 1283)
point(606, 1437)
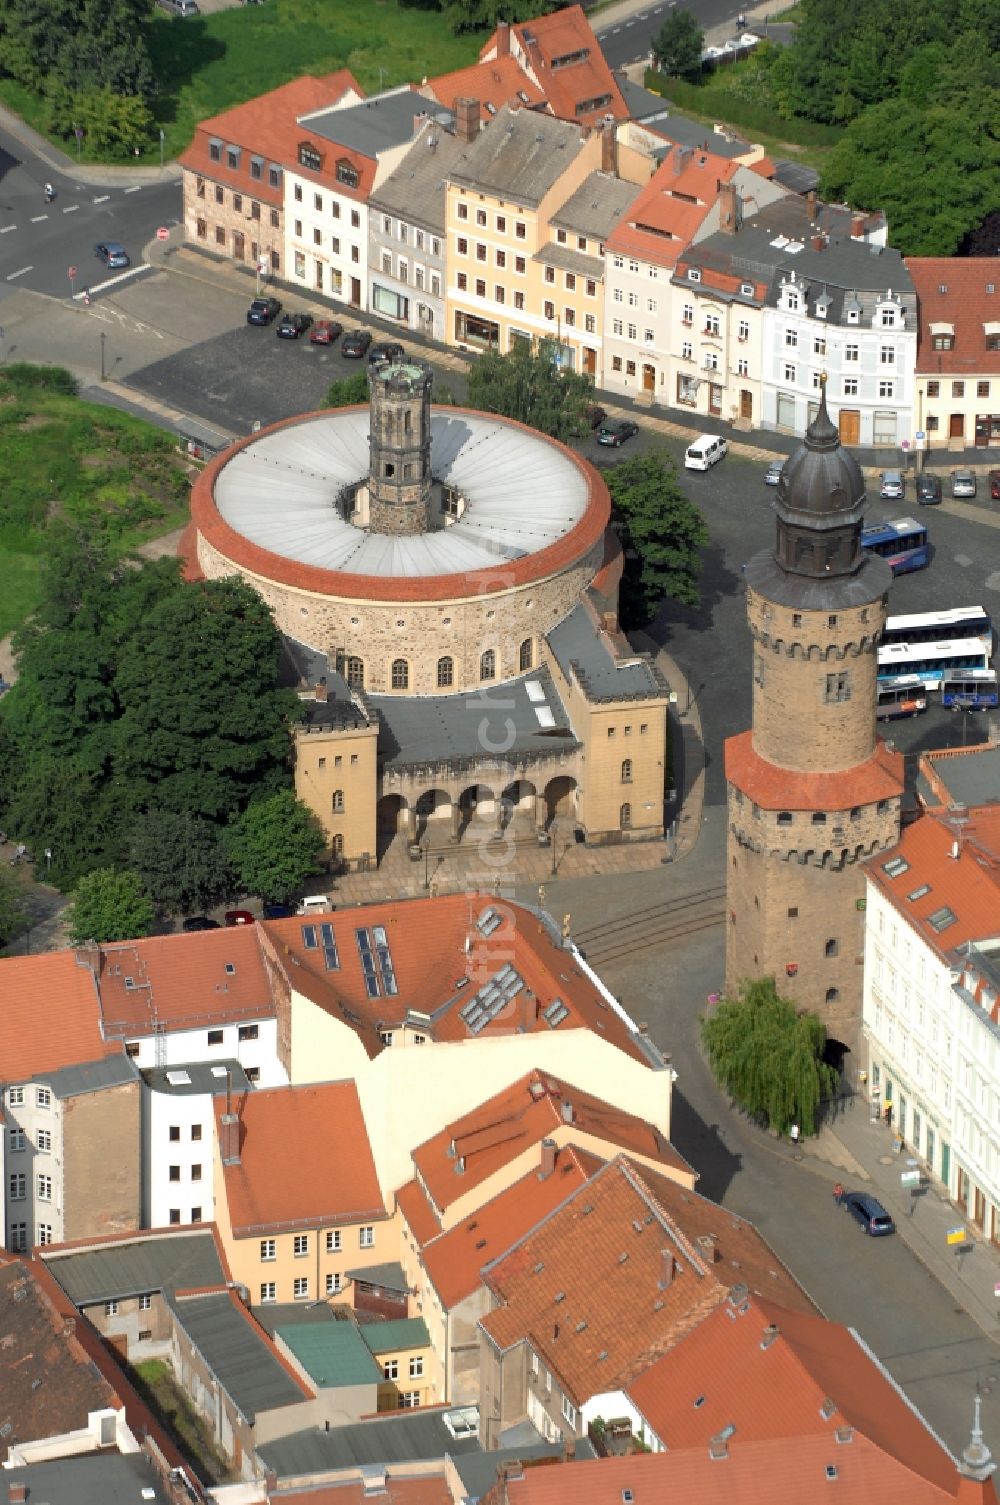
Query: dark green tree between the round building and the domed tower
point(662, 535)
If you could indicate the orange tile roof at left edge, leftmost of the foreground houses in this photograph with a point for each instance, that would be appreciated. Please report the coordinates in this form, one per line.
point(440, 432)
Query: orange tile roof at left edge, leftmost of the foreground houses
point(56, 993)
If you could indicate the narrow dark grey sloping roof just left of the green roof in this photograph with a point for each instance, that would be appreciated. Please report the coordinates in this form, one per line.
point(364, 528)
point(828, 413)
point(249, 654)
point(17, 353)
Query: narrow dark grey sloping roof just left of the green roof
point(237, 1355)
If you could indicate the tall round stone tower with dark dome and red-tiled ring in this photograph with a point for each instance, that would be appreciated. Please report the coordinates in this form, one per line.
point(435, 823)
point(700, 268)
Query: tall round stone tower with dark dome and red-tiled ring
point(812, 789)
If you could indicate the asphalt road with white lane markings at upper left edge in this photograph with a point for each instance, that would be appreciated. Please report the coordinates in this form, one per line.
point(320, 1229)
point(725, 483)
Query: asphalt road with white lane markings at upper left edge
point(40, 243)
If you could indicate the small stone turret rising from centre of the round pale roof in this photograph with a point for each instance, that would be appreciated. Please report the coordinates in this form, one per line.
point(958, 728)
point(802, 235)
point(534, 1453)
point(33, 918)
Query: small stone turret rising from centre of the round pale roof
point(400, 475)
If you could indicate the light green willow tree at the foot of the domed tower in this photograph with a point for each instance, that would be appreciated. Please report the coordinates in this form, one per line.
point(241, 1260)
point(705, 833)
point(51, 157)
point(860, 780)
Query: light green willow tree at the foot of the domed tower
point(770, 1057)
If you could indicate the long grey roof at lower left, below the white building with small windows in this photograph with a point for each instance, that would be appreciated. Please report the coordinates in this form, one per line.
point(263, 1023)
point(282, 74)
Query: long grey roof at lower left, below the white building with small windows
point(138, 1266)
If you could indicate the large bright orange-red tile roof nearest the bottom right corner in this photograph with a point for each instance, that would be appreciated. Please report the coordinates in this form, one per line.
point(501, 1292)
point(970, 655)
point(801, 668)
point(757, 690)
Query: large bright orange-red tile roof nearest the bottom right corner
point(773, 1373)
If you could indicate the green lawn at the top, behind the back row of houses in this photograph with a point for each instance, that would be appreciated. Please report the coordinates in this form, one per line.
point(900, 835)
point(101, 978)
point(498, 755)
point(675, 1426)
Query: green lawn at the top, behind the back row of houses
point(207, 64)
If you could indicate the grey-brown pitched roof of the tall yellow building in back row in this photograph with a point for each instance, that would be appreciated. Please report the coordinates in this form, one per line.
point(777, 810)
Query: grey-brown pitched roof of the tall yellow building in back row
point(519, 156)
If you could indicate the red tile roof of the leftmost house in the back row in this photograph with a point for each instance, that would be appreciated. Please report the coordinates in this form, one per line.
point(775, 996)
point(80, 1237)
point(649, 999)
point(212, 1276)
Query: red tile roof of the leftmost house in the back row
point(266, 127)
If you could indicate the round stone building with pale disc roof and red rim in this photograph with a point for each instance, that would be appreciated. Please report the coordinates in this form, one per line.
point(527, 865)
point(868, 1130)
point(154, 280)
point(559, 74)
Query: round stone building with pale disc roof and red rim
point(422, 550)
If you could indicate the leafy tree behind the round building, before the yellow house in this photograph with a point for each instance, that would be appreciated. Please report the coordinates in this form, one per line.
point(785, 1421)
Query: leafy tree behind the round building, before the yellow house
point(529, 386)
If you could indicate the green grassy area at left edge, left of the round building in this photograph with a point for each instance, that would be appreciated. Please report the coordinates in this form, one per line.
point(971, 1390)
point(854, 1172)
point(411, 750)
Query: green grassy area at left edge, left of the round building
point(66, 460)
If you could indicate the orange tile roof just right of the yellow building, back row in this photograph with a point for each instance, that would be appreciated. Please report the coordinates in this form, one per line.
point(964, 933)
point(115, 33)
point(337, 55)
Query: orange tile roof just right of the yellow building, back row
point(672, 205)
